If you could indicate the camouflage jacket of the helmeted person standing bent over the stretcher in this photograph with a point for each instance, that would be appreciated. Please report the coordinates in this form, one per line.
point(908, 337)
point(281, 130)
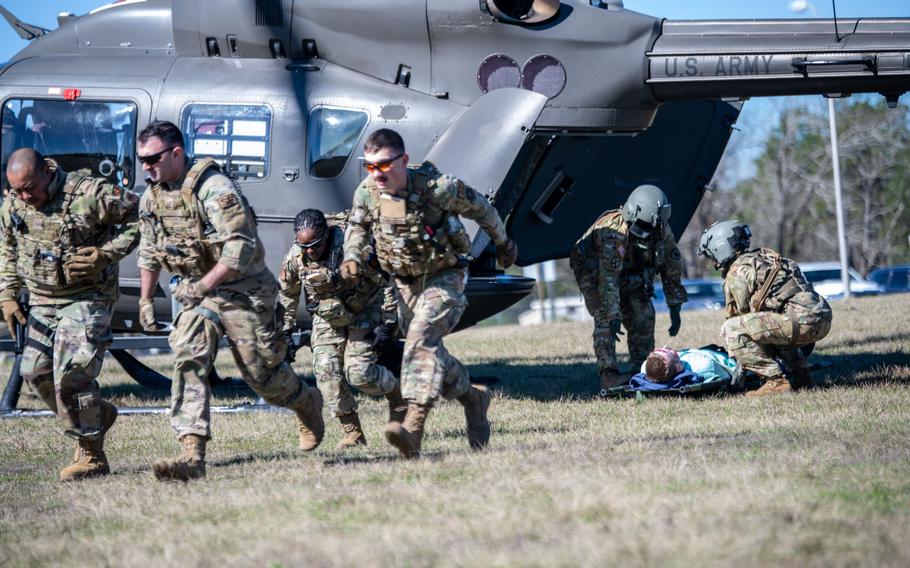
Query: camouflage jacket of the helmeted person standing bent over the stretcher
point(608, 261)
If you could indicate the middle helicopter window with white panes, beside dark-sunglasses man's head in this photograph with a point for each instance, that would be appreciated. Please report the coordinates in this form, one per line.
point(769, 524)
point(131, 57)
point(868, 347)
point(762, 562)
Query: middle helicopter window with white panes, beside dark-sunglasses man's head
point(235, 136)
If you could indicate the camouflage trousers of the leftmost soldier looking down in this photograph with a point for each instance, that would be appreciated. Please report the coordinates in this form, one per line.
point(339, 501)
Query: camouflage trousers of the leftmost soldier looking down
point(63, 357)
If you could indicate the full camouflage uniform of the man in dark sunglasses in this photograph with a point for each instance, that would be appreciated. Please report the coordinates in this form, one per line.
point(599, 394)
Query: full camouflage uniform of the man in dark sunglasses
point(187, 227)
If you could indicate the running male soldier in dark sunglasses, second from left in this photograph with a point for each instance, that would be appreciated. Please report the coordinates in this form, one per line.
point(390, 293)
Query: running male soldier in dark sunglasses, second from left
point(195, 223)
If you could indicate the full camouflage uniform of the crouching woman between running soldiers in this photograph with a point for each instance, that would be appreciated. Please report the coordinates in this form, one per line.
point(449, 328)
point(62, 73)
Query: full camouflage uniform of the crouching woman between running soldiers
point(344, 316)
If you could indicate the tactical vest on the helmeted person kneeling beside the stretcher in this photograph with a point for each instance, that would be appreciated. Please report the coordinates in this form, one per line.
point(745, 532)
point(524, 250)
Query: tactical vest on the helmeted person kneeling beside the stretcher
point(780, 279)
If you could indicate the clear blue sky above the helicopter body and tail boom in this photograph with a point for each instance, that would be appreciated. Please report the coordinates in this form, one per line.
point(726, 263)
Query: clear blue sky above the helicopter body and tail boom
point(44, 13)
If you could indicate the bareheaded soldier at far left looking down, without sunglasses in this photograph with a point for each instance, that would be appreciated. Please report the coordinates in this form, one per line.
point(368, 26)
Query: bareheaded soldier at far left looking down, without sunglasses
point(62, 236)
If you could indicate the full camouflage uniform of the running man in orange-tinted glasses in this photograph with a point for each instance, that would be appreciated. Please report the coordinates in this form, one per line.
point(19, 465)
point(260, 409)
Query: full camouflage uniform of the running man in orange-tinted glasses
point(418, 239)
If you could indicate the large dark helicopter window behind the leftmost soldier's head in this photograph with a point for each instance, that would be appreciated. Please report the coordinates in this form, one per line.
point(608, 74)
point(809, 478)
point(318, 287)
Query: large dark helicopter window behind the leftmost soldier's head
point(99, 136)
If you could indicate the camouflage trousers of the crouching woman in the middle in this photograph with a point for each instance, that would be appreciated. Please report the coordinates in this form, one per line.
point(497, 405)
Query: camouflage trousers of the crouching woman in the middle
point(344, 356)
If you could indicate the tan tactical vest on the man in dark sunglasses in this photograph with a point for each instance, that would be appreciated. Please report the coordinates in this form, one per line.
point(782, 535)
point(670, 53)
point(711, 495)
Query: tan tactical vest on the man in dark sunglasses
point(180, 227)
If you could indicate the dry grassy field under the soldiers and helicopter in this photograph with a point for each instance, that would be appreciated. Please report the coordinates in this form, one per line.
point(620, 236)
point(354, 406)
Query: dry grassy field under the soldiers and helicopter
point(820, 478)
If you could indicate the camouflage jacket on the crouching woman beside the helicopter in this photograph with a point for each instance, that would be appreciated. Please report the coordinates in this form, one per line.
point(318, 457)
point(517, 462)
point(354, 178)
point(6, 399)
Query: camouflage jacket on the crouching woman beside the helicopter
point(323, 290)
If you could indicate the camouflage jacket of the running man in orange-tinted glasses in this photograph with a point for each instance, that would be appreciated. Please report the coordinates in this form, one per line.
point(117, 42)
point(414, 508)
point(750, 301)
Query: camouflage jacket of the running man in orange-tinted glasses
point(417, 232)
